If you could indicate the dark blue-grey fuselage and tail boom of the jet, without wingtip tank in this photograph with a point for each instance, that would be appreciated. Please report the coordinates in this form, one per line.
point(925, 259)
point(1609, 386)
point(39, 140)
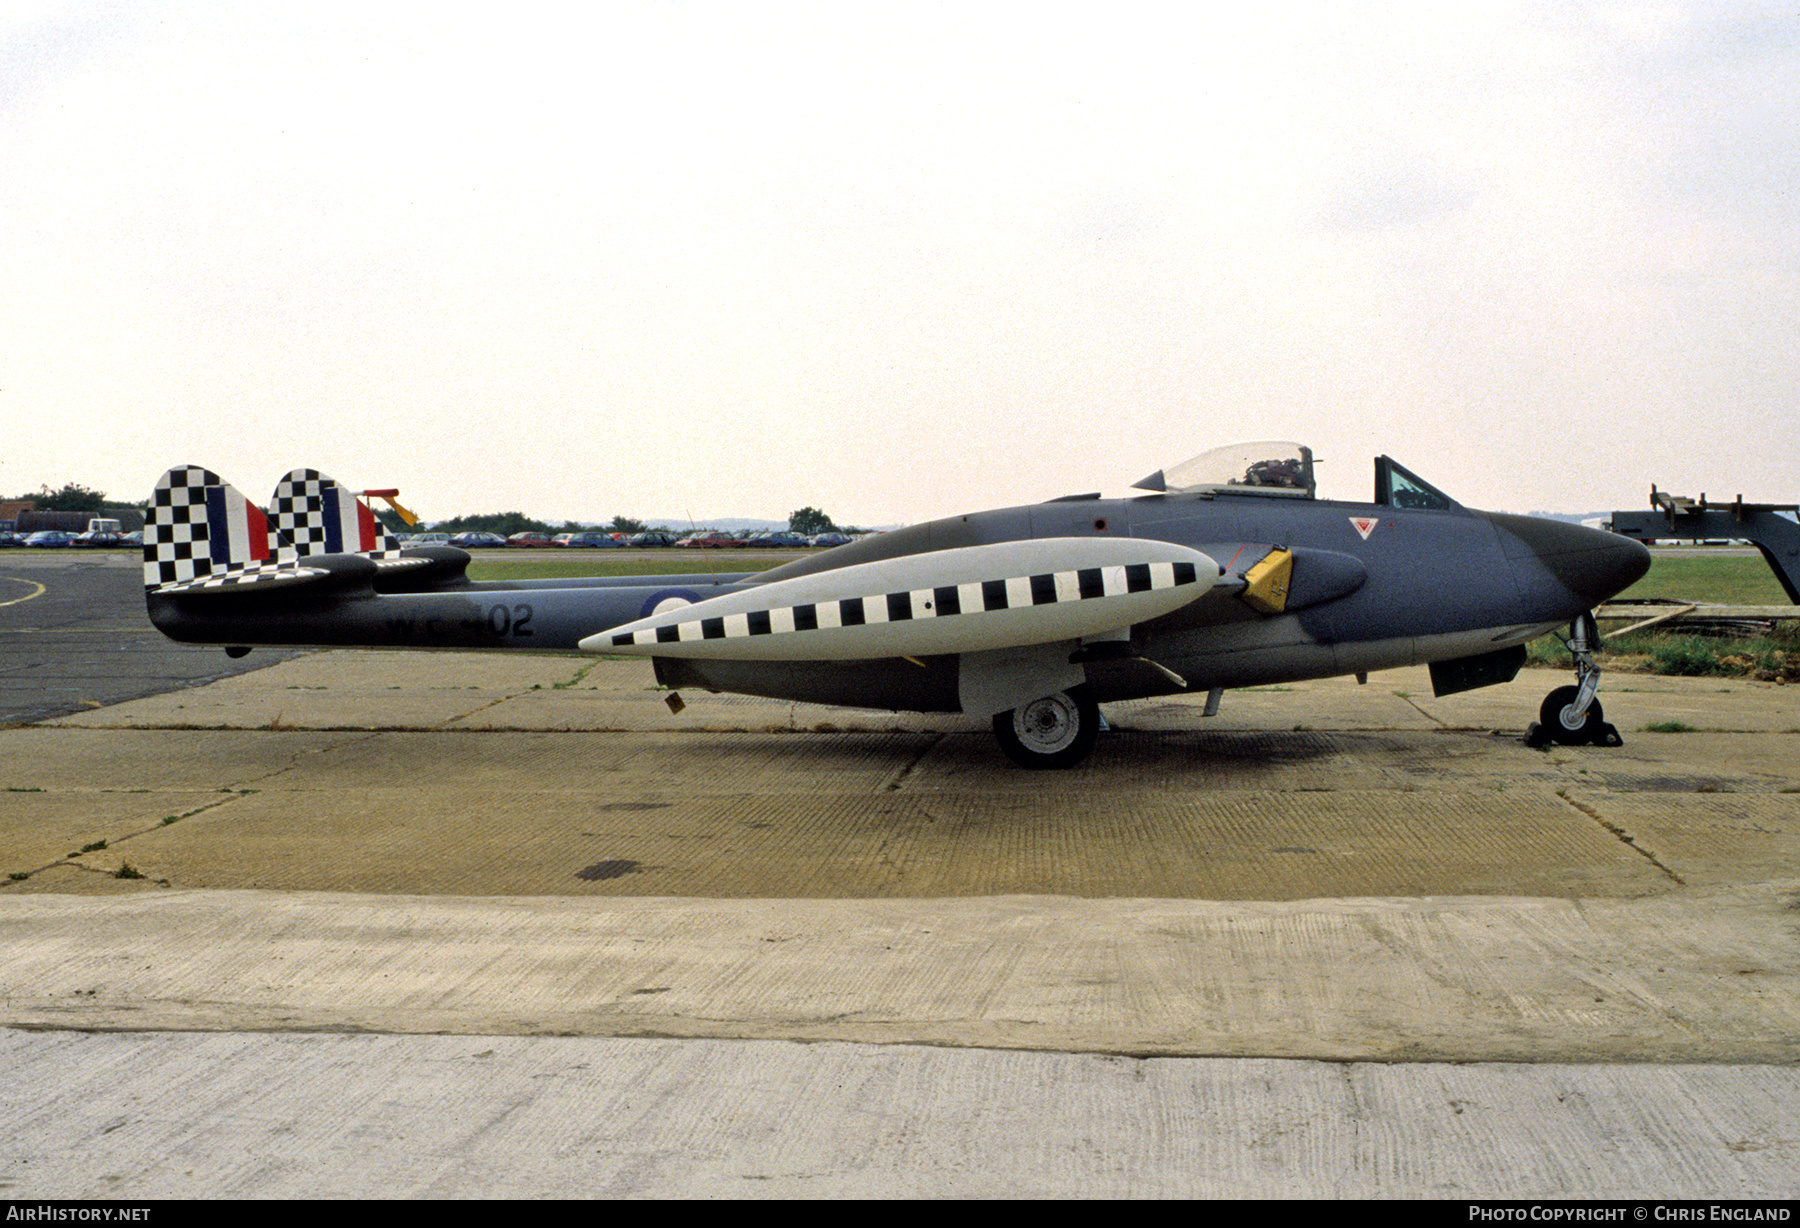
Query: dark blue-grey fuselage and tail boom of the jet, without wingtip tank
point(1372, 588)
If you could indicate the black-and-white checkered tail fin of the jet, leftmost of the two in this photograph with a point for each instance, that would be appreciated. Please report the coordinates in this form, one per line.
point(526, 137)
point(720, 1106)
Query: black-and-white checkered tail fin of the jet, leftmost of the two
point(202, 536)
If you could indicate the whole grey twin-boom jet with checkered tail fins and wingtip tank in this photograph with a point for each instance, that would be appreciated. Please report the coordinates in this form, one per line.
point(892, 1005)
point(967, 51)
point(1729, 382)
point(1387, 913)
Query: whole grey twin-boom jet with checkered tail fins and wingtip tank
point(1228, 573)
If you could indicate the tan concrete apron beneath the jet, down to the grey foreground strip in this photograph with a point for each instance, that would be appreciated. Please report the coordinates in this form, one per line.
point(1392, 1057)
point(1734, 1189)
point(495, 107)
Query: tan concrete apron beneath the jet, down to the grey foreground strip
point(415, 844)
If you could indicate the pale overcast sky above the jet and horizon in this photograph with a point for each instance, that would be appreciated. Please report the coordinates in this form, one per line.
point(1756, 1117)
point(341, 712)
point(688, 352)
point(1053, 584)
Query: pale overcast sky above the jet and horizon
point(899, 260)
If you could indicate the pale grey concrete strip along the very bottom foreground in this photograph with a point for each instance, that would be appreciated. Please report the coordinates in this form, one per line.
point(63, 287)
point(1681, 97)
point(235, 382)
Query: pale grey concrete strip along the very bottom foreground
point(514, 1117)
